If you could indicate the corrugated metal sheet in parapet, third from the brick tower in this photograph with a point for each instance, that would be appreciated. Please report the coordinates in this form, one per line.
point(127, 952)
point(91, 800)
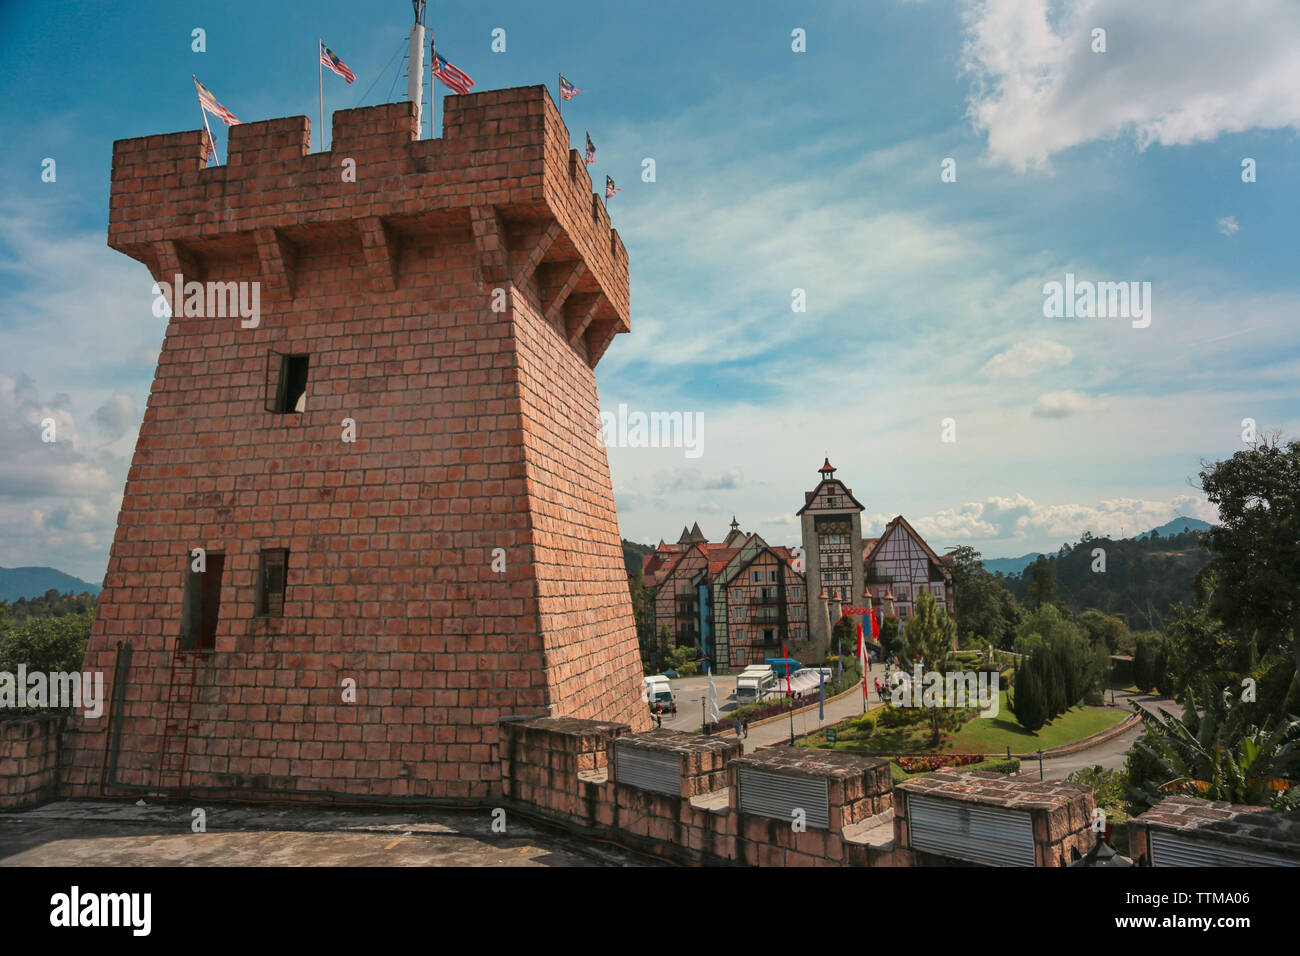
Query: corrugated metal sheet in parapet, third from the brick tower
point(972, 833)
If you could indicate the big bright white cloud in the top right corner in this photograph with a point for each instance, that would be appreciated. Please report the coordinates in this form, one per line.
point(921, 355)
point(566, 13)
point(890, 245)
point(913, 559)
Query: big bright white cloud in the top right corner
point(1175, 72)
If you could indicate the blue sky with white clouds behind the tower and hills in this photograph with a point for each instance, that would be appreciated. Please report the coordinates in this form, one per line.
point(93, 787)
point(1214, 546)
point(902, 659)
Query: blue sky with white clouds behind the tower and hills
point(775, 171)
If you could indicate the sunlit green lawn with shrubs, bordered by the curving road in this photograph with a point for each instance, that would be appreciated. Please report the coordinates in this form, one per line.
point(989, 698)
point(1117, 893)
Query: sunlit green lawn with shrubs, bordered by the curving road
point(981, 736)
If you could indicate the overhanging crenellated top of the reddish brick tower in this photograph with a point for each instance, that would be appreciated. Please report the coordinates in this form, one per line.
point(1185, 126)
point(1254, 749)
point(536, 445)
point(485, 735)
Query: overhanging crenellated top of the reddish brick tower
point(502, 168)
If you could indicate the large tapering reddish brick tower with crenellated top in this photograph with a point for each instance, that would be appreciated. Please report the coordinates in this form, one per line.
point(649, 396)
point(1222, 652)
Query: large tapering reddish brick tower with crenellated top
point(447, 300)
